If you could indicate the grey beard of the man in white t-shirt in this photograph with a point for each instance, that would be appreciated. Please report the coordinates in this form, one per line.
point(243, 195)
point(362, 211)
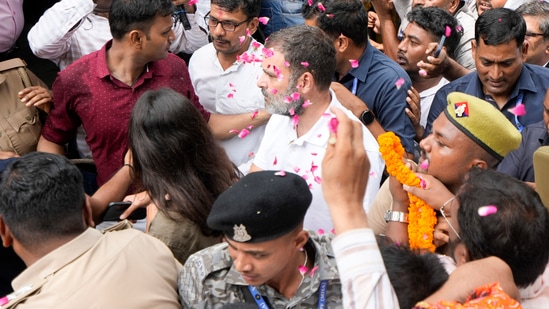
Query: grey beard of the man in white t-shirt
point(278, 103)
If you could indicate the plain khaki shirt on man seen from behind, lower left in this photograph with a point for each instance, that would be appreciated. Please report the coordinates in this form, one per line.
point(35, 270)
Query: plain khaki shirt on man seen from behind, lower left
point(121, 269)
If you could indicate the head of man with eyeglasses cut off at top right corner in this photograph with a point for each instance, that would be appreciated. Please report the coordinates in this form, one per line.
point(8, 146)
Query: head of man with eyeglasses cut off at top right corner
point(536, 16)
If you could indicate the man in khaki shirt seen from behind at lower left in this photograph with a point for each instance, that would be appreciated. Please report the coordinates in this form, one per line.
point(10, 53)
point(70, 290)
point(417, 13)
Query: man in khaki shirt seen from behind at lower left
point(44, 217)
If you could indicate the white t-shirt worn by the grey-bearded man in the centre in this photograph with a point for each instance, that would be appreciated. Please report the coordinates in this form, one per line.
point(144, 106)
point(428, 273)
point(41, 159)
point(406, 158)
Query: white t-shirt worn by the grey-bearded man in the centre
point(281, 149)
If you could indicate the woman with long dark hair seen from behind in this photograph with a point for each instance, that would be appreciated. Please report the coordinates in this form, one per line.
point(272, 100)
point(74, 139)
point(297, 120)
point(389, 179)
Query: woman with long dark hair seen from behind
point(178, 162)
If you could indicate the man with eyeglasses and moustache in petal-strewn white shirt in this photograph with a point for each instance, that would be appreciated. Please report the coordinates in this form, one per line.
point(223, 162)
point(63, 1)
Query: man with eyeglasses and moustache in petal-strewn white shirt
point(224, 74)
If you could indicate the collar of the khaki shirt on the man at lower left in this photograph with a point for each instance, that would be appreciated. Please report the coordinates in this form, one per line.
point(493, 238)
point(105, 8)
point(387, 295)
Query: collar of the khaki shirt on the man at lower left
point(57, 259)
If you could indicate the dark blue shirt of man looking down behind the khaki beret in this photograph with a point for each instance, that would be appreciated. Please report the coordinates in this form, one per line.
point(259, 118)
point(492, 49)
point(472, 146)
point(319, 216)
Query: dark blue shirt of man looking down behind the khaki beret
point(533, 83)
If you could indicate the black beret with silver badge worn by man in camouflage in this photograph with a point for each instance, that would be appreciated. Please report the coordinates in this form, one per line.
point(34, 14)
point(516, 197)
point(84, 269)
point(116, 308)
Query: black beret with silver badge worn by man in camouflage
point(261, 206)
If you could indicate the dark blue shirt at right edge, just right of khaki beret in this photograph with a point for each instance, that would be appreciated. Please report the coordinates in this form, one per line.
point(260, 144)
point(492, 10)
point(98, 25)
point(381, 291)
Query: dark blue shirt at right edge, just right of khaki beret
point(519, 163)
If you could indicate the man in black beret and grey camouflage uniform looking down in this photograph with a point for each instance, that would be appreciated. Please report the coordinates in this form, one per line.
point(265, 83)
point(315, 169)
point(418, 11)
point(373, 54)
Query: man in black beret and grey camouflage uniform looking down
point(267, 258)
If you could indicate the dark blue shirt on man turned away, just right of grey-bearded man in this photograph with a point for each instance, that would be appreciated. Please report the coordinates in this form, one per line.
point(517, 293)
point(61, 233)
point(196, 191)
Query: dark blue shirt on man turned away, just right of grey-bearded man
point(377, 75)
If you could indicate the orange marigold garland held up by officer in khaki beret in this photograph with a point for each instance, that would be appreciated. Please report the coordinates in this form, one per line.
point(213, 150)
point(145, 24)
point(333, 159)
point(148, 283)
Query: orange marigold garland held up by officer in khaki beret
point(421, 216)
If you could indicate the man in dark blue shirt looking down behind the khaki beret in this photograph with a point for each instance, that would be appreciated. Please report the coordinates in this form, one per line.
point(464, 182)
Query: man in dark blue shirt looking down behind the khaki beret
point(502, 78)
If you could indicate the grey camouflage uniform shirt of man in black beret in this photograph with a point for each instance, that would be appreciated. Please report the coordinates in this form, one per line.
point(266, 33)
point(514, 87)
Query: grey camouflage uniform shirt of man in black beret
point(209, 280)
